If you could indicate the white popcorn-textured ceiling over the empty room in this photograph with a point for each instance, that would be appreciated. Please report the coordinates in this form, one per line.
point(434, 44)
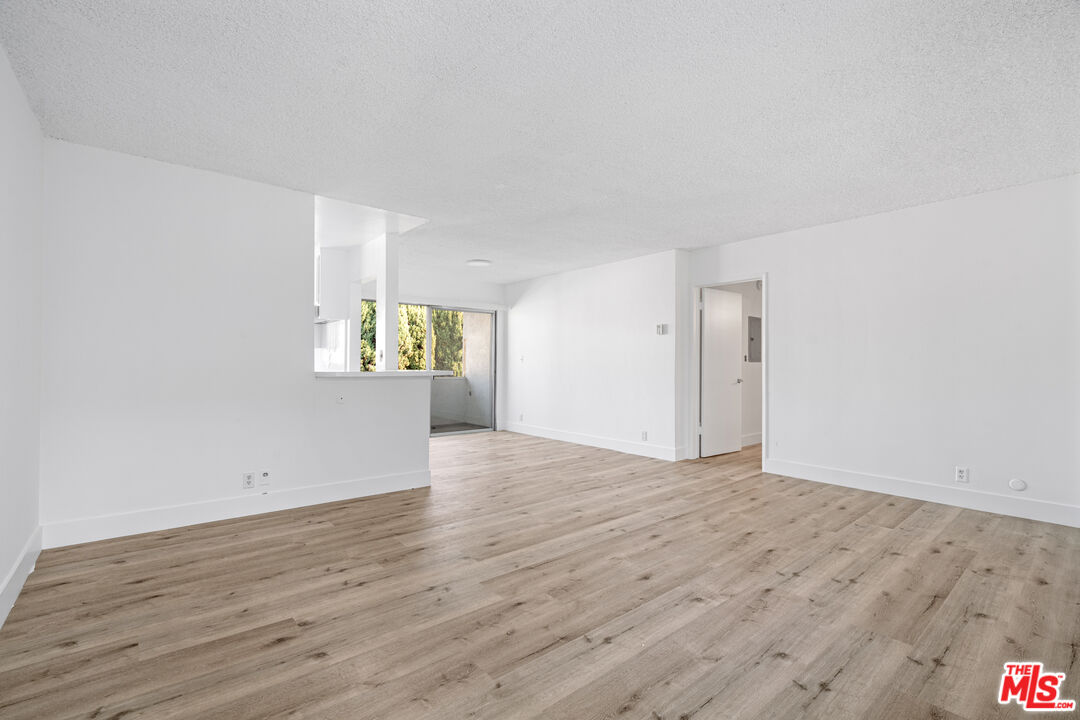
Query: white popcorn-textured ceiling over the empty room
point(551, 135)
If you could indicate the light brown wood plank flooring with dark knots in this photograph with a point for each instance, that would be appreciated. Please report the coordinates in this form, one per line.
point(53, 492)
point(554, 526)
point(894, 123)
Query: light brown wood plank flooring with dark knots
point(538, 579)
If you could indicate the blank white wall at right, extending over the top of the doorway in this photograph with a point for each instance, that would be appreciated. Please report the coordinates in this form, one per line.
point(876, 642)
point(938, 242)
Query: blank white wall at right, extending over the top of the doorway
point(903, 345)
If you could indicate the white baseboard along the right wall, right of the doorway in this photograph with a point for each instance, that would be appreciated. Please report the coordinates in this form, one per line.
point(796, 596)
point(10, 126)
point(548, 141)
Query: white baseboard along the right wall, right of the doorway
point(991, 502)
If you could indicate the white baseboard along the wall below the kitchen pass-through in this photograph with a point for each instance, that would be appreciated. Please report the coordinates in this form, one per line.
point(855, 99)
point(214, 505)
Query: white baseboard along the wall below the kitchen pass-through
point(88, 529)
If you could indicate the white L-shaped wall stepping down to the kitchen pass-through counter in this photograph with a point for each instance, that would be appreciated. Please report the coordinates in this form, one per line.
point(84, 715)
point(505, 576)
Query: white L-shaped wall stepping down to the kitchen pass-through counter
point(178, 356)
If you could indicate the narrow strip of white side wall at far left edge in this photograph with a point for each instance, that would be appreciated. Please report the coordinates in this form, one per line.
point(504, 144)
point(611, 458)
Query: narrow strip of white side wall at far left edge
point(20, 335)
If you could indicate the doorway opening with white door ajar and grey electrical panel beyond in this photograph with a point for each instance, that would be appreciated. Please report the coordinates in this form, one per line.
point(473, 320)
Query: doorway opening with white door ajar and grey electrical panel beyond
point(731, 368)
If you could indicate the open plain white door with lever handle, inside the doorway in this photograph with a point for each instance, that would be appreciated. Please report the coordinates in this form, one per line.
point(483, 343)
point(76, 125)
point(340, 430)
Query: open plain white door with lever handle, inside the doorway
point(721, 372)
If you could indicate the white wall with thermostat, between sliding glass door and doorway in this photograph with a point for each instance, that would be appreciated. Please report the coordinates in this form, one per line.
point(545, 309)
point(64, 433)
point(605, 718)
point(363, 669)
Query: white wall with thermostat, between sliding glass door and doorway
point(586, 363)
